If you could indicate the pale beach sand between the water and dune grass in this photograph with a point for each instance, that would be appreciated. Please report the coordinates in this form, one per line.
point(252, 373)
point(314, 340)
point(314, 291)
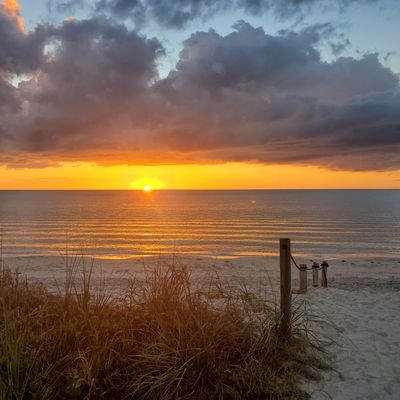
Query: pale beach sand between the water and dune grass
point(359, 311)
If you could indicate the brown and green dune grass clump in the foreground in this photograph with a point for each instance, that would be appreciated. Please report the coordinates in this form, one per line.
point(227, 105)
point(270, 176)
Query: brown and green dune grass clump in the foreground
point(159, 339)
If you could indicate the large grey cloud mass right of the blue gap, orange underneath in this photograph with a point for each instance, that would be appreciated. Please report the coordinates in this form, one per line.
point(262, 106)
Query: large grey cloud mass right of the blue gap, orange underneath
point(272, 99)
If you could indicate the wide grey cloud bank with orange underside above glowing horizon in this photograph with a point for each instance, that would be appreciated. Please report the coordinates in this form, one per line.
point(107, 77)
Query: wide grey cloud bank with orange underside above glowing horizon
point(92, 93)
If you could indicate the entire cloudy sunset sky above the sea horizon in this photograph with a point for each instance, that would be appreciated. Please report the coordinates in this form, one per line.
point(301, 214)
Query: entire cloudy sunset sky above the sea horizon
point(199, 94)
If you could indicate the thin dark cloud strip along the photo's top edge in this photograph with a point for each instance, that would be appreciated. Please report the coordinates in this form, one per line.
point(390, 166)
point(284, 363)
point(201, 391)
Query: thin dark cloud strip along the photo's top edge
point(177, 13)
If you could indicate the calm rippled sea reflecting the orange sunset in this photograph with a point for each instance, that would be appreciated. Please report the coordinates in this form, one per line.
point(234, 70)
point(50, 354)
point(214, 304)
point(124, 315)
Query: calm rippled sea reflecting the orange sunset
point(218, 223)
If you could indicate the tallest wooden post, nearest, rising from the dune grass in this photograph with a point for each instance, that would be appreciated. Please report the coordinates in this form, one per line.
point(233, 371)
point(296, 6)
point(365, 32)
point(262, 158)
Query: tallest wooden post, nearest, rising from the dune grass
point(286, 295)
